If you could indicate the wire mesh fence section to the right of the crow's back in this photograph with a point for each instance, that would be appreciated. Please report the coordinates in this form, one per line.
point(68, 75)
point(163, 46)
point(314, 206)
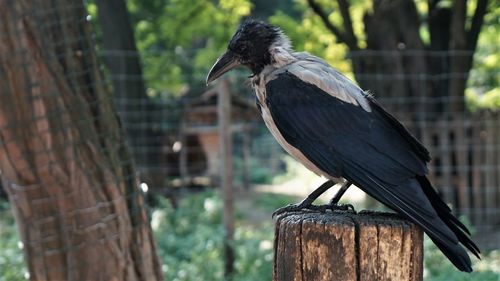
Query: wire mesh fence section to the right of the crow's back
point(463, 142)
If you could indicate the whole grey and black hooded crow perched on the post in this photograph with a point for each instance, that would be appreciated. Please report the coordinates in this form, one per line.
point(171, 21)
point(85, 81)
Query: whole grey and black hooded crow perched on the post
point(340, 132)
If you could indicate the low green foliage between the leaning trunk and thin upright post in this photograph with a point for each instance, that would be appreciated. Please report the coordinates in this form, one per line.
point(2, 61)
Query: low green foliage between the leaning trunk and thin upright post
point(189, 239)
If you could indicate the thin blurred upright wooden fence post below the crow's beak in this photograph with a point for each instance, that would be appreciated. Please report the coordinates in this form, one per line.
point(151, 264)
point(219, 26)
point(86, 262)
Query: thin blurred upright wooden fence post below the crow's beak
point(226, 173)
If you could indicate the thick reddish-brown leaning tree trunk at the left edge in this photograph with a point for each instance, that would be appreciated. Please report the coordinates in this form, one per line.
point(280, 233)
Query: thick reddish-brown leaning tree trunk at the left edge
point(63, 161)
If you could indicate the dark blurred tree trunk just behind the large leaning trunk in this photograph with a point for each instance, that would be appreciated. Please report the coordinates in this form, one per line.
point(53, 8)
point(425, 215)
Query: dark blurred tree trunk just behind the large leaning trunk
point(135, 108)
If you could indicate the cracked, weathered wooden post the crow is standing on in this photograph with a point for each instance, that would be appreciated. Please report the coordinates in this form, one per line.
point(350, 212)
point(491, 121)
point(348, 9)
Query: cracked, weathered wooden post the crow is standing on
point(344, 245)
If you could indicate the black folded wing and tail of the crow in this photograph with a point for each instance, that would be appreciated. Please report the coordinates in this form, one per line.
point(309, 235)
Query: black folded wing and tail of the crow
point(371, 149)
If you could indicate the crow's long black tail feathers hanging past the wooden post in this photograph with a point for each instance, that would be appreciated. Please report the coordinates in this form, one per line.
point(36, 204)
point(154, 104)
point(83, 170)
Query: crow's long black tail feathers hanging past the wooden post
point(445, 230)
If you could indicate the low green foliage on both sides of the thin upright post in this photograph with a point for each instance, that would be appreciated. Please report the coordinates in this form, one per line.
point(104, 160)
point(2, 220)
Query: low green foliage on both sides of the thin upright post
point(190, 242)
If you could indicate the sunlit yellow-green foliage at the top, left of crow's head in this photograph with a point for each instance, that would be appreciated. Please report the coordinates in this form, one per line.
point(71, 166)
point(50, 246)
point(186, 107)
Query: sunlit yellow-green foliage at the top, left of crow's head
point(180, 39)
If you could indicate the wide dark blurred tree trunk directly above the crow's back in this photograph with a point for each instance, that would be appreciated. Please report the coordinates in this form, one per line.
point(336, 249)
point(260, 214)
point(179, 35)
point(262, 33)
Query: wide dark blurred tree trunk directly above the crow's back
point(394, 64)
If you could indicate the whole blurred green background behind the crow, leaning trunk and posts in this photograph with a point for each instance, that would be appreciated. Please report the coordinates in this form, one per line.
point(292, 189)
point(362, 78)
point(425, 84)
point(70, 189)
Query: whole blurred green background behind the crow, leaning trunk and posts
point(434, 64)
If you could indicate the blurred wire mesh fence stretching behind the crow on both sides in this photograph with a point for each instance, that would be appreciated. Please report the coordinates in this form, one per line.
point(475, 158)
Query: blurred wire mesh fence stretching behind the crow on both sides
point(463, 143)
